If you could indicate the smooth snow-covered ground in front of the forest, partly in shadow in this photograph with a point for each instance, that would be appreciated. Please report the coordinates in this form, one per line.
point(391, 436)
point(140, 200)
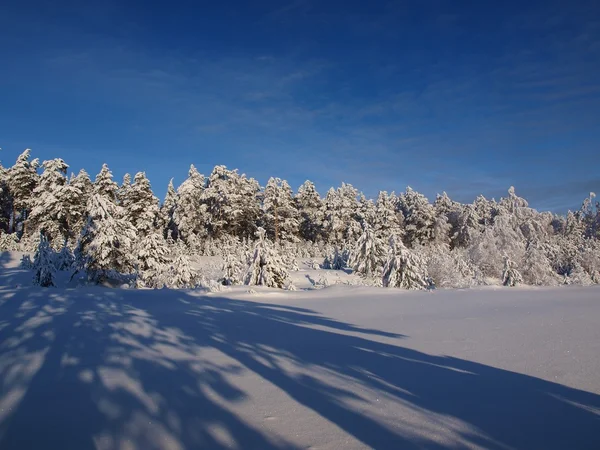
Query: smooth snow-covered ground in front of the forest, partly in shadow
point(341, 367)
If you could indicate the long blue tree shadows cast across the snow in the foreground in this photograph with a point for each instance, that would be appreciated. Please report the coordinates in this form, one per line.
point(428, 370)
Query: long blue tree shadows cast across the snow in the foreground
point(95, 368)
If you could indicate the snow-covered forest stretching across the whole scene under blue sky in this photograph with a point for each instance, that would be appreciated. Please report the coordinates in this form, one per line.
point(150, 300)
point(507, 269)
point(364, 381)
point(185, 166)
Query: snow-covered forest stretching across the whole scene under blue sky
point(101, 231)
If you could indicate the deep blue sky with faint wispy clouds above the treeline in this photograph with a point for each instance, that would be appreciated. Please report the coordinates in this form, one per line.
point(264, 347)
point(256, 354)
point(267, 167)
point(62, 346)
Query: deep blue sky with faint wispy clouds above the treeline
point(466, 97)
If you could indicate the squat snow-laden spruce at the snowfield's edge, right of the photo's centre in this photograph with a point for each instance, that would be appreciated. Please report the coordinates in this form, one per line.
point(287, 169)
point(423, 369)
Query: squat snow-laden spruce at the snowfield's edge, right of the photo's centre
point(404, 268)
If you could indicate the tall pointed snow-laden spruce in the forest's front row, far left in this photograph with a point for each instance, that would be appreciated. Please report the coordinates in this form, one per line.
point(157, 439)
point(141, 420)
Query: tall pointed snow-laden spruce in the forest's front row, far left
point(106, 242)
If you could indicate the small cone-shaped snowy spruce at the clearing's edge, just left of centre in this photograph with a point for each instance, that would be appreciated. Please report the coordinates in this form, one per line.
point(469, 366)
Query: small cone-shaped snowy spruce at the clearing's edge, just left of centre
point(265, 266)
